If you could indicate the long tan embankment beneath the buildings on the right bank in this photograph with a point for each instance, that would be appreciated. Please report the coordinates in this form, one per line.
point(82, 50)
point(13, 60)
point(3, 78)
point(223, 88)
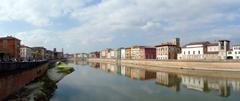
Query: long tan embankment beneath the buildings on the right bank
point(174, 64)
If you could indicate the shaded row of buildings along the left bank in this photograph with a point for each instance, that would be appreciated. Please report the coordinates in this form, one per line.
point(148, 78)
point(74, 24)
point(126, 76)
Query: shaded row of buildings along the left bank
point(12, 50)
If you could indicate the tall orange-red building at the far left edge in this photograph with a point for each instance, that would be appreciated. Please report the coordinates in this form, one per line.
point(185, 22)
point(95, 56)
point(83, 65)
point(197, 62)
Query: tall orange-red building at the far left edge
point(9, 48)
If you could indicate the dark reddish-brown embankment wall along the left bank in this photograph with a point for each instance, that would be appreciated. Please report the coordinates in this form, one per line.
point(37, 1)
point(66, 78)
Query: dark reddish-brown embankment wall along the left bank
point(12, 82)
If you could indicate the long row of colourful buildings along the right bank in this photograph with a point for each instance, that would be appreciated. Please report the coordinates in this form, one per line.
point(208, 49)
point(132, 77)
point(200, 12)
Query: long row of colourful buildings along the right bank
point(218, 50)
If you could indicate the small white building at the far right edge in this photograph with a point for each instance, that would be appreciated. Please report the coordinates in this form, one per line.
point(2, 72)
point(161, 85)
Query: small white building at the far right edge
point(234, 53)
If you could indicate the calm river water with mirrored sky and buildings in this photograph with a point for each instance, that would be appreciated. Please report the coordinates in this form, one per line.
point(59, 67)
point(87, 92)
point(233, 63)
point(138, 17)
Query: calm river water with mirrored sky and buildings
point(109, 82)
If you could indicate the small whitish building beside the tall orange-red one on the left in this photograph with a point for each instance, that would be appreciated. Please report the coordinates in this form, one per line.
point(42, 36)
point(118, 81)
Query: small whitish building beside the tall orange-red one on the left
point(26, 53)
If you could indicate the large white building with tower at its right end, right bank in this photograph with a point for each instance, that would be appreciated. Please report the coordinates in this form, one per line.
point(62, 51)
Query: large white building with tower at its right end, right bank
point(205, 50)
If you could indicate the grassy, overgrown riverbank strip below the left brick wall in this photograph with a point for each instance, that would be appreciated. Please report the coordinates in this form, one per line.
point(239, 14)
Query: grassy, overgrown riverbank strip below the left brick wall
point(41, 89)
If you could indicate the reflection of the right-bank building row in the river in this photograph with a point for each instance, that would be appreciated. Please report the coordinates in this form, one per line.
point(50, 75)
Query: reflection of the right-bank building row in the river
point(174, 81)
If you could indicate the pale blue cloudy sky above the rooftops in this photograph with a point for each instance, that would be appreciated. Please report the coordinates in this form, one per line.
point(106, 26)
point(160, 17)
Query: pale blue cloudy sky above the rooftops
point(89, 25)
